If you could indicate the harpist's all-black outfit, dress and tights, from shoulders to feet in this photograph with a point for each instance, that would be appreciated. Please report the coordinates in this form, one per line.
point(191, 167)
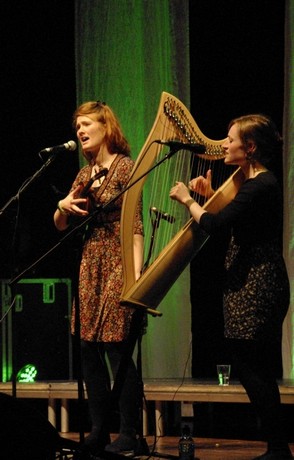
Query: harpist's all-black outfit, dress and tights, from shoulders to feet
point(256, 297)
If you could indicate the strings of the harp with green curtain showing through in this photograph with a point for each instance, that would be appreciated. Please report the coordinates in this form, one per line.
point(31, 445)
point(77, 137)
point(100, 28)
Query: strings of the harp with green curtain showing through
point(182, 166)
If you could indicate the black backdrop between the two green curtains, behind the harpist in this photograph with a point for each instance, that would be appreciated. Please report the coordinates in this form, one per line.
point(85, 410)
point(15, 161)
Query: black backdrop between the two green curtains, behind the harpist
point(236, 68)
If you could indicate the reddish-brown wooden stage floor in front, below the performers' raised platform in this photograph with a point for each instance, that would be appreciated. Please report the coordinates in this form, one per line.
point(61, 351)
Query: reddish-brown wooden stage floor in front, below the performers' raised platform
point(206, 448)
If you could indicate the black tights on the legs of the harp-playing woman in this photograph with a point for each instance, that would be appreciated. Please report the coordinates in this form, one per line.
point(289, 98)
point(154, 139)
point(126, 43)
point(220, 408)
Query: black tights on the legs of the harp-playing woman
point(254, 365)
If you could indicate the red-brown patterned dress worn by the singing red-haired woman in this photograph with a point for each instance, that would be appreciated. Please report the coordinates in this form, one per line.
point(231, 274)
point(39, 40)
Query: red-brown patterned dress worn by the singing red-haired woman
point(102, 319)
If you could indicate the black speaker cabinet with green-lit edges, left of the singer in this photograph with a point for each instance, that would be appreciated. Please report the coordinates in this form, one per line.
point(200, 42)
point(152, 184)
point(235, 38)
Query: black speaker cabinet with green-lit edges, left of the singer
point(36, 328)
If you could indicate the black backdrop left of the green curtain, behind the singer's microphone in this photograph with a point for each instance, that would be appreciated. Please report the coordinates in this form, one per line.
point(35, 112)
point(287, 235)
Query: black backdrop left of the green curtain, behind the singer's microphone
point(37, 101)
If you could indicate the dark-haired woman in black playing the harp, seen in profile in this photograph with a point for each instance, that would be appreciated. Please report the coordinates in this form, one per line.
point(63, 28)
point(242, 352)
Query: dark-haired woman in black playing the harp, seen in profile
point(256, 285)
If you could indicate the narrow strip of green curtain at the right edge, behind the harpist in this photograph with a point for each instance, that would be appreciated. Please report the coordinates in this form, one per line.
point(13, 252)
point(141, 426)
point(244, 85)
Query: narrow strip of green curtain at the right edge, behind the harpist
point(288, 333)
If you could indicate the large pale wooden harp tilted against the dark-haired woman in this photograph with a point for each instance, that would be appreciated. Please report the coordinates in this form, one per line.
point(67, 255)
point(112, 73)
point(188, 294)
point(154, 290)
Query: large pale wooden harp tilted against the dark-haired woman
point(180, 242)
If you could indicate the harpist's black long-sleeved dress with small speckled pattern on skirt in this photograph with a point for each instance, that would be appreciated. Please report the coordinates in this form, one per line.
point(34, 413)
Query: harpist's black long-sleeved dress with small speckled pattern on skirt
point(256, 285)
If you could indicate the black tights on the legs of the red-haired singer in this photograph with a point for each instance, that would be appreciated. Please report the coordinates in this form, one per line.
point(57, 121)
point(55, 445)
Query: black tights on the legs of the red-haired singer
point(98, 386)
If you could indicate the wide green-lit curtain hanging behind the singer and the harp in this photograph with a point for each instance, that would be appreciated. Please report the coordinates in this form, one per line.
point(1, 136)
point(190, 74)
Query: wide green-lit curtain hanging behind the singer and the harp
point(127, 53)
